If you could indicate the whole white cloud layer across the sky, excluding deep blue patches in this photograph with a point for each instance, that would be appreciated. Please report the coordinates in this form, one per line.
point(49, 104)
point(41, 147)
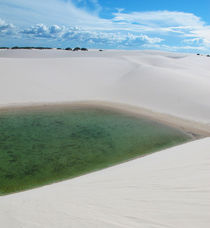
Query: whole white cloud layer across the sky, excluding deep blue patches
point(65, 22)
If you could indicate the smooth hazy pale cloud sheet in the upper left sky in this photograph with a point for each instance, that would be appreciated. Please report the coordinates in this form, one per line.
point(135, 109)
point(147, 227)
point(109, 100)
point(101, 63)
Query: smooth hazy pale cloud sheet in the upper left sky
point(62, 12)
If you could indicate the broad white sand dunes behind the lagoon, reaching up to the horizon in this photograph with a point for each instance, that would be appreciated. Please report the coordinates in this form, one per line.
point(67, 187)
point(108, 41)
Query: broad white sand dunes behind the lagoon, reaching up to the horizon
point(172, 83)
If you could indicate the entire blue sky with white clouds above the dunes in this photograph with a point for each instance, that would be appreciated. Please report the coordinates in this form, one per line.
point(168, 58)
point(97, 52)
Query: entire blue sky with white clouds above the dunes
point(181, 25)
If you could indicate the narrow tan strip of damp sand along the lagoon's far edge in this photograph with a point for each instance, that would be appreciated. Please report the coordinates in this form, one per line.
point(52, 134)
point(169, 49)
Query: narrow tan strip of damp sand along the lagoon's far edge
point(195, 129)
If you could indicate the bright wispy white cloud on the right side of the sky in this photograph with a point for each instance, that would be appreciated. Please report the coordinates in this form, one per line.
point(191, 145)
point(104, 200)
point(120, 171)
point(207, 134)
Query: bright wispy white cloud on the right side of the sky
point(176, 24)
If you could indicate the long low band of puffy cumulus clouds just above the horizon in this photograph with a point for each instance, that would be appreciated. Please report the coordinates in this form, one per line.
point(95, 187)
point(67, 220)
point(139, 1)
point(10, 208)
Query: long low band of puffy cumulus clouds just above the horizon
point(78, 34)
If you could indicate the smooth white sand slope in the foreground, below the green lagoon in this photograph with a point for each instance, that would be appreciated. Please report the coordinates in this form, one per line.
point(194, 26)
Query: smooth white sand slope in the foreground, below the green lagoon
point(166, 189)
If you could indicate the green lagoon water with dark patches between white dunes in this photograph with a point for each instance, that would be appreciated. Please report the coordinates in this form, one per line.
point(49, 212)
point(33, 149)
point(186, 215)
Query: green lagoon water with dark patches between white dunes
point(44, 146)
